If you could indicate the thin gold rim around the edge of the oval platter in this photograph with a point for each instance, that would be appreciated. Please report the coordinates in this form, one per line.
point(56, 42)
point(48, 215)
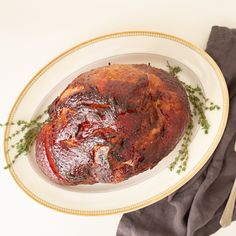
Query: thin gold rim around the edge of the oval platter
point(167, 191)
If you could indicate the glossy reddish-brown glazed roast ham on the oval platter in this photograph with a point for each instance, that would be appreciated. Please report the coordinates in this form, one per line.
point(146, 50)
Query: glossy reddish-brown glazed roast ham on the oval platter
point(112, 123)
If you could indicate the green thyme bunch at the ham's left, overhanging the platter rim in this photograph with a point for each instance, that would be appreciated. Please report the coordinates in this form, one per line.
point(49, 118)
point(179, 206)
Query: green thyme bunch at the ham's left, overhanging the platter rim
point(30, 131)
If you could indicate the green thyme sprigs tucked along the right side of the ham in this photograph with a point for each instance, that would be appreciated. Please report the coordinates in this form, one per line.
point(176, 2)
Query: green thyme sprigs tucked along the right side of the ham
point(199, 105)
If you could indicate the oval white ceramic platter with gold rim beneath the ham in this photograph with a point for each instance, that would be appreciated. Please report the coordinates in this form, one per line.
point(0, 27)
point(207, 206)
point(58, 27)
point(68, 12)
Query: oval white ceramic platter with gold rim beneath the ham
point(152, 185)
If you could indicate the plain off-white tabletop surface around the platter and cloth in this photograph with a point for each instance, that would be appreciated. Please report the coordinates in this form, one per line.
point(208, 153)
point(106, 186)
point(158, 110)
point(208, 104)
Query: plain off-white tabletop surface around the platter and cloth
point(34, 32)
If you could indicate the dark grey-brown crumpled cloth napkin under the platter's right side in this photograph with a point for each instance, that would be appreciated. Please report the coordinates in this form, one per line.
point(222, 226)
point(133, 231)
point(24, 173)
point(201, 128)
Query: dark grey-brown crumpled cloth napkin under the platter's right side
point(196, 208)
